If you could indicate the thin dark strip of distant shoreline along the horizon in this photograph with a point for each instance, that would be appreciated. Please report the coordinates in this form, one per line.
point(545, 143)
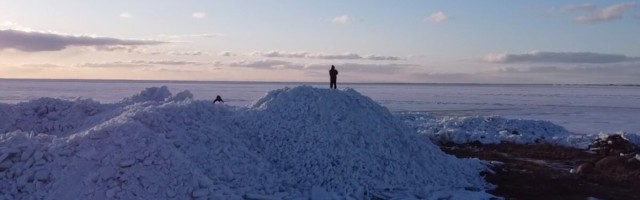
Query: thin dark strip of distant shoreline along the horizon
point(294, 82)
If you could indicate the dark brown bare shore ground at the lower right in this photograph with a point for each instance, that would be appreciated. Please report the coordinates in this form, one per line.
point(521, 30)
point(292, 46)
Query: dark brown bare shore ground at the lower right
point(543, 172)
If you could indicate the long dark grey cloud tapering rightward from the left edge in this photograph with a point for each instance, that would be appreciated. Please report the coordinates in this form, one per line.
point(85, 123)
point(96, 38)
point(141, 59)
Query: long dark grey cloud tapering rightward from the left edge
point(32, 41)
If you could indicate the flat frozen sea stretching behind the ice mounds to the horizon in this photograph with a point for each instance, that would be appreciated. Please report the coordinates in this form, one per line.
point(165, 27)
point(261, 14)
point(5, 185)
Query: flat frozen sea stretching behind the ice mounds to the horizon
point(582, 109)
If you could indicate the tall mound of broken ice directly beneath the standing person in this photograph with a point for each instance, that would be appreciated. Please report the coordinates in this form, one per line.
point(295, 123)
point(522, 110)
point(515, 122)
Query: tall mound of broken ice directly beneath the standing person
point(344, 142)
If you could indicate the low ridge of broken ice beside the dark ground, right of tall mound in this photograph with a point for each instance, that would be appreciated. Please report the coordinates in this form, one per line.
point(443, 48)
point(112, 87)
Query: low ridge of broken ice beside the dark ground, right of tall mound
point(492, 130)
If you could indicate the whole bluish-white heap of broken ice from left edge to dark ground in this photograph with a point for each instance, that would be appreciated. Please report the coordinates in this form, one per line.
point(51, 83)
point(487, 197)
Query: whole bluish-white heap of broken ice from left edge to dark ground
point(292, 143)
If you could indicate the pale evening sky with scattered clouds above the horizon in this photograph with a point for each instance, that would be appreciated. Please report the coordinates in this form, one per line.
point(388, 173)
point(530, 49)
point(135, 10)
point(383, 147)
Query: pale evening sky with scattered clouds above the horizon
point(410, 41)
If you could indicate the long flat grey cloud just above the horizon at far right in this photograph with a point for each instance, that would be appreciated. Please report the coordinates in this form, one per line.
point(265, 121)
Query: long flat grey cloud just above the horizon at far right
point(559, 57)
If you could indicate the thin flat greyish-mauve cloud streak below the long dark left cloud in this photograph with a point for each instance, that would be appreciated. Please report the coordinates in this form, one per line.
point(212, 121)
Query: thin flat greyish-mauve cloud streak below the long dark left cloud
point(143, 63)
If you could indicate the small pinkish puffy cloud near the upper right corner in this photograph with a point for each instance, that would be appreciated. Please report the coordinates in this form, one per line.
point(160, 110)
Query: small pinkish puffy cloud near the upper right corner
point(607, 14)
